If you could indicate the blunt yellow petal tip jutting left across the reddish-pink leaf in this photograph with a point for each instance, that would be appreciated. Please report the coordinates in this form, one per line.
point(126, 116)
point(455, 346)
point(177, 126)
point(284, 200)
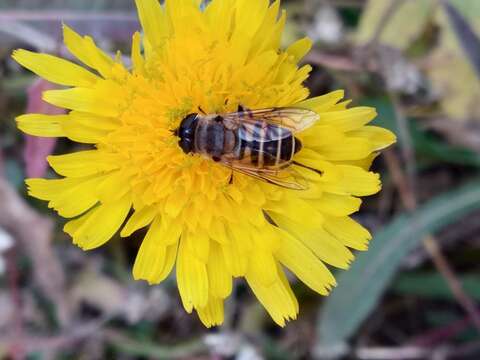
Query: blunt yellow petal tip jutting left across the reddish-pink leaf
point(42, 125)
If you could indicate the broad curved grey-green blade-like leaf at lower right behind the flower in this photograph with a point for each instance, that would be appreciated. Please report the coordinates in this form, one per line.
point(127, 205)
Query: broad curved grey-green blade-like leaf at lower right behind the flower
point(361, 287)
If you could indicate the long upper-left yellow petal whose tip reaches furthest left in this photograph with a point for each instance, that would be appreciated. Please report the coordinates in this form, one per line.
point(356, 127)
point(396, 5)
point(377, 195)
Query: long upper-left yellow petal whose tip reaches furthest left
point(54, 69)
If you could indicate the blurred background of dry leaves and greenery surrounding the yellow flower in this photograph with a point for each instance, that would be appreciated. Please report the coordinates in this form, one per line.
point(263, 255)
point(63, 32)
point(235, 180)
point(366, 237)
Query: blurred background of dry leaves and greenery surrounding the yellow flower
point(414, 295)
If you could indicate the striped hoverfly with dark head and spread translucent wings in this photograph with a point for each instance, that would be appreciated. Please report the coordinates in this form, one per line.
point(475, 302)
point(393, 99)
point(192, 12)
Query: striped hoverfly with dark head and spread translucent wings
point(258, 143)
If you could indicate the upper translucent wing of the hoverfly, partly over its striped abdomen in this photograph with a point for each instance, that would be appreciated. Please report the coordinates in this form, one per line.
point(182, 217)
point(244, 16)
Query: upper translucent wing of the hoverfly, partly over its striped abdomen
point(269, 124)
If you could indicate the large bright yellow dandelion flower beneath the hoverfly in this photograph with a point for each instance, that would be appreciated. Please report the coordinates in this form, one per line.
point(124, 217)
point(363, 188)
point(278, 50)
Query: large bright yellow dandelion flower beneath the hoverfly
point(213, 227)
